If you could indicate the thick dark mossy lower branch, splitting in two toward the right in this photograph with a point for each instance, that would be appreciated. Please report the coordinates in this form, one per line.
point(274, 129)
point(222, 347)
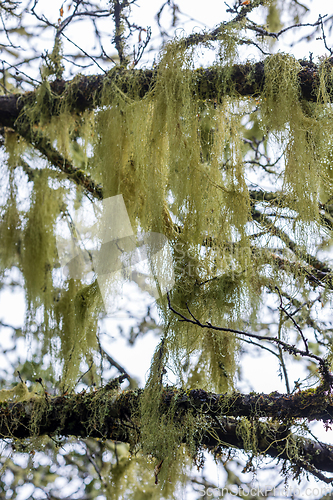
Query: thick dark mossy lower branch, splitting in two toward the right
point(102, 414)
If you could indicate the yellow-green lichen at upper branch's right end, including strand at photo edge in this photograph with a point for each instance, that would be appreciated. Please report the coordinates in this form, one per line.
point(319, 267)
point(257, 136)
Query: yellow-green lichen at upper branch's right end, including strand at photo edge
point(303, 132)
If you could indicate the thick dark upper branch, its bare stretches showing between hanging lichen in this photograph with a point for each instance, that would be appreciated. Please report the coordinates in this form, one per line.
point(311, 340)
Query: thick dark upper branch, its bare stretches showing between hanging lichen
point(85, 92)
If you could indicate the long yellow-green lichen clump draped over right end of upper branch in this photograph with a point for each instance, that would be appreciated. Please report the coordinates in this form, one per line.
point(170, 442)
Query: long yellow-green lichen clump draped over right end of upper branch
point(296, 133)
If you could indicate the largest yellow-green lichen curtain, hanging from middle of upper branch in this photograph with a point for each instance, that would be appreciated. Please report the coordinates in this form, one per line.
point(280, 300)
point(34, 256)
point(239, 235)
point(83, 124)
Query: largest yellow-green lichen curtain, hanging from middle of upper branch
point(175, 159)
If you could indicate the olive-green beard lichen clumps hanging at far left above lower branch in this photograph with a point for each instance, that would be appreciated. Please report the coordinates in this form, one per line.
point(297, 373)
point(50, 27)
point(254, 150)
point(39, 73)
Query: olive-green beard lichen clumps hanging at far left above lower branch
point(72, 316)
